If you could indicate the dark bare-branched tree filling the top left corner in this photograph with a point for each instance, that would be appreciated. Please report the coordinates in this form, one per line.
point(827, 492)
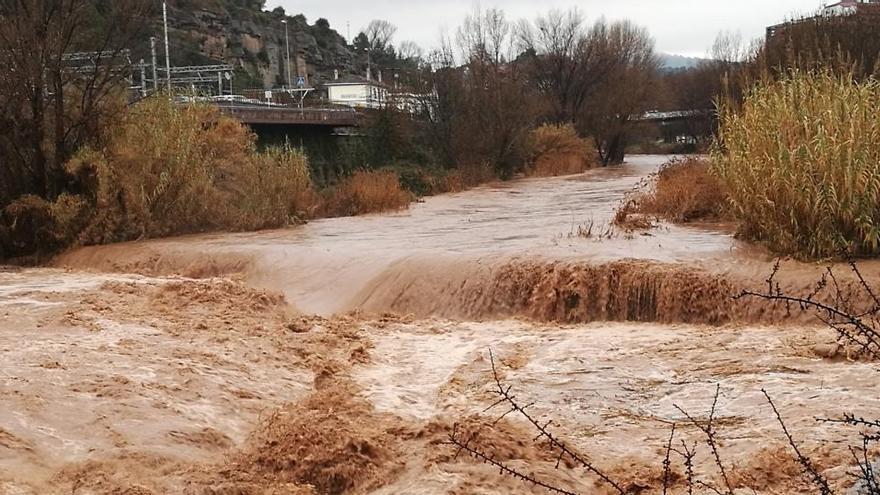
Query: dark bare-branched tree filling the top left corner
point(63, 61)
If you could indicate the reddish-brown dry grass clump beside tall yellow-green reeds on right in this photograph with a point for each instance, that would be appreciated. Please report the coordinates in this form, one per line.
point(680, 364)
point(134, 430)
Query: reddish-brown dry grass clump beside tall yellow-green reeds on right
point(684, 190)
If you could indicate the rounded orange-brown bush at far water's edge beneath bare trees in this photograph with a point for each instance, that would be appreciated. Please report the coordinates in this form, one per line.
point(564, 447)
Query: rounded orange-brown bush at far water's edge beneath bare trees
point(558, 150)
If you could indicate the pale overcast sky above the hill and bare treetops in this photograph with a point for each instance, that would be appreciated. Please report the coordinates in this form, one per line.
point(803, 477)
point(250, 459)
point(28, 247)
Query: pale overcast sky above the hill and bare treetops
point(686, 27)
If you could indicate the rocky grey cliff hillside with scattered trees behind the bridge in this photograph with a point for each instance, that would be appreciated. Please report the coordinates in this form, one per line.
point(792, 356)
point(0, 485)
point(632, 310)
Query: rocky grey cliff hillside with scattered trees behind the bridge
point(242, 34)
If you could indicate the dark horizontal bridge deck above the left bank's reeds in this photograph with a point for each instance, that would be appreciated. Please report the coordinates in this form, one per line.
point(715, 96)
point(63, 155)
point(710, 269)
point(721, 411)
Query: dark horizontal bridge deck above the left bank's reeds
point(291, 116)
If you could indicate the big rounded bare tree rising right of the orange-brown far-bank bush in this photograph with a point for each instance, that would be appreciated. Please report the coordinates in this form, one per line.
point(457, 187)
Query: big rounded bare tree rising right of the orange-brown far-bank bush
point(600, 77)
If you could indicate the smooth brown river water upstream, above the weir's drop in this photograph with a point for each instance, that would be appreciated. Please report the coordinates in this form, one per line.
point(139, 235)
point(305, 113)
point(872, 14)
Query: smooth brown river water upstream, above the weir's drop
point(340, 264)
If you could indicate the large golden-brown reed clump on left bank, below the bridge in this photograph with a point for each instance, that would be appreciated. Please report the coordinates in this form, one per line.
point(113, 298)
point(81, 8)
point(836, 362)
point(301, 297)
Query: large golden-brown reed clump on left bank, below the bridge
point(168, 170)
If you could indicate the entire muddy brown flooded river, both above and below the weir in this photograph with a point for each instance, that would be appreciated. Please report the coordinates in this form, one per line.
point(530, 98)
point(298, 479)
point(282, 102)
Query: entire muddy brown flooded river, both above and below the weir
point(336, 357)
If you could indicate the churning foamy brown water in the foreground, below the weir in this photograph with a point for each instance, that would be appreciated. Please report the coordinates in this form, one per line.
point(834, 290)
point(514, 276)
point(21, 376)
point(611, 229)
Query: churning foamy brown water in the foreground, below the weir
point(133, 385)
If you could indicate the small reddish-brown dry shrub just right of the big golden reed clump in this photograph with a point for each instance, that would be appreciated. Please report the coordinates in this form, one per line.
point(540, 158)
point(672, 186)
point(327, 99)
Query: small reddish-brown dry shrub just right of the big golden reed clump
point(365, 191)
